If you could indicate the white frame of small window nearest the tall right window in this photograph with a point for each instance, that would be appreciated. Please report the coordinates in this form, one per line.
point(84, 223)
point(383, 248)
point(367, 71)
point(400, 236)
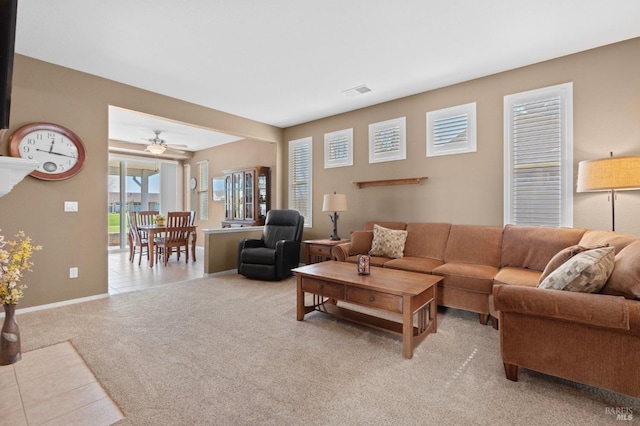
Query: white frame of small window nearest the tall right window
point(451, 148)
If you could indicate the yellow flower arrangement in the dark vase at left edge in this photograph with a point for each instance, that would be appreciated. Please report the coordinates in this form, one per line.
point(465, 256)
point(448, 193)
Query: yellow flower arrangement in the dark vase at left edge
point(15, 260)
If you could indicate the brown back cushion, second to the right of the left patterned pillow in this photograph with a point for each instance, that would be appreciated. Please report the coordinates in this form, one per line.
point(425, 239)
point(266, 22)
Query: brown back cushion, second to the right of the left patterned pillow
point(474, 244)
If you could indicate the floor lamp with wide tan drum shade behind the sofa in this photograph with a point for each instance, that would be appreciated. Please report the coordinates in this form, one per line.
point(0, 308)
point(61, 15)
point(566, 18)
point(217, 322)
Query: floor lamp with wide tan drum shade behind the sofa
point(609, 174)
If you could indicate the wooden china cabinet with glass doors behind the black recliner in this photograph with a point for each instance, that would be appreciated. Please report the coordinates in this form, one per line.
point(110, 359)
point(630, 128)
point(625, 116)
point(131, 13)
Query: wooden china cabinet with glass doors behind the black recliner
point(247, 196)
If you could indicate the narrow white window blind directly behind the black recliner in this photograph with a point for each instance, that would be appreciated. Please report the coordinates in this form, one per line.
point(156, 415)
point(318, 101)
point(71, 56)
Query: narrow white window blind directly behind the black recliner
point(300, 177)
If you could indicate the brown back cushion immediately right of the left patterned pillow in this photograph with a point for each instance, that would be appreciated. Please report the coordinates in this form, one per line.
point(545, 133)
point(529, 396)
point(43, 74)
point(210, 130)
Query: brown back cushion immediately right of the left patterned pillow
point(426, 240)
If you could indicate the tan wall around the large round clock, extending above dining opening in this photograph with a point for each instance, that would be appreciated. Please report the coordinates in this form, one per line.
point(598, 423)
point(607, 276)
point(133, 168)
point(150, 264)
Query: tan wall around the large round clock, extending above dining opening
point(45, 92)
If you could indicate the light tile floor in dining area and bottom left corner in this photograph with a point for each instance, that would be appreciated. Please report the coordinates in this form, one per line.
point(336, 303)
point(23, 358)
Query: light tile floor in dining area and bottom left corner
point(53, 385)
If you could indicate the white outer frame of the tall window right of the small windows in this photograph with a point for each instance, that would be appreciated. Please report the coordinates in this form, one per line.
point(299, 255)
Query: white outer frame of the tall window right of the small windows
point(565, 93)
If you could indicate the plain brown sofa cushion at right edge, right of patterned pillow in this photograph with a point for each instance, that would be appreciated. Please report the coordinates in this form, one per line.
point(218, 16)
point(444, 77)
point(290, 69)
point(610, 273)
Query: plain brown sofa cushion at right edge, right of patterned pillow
point(625, 278)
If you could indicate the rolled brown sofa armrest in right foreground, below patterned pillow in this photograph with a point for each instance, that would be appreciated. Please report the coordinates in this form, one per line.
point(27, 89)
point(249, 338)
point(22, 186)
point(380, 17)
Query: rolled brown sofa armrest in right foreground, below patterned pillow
point(583, 308)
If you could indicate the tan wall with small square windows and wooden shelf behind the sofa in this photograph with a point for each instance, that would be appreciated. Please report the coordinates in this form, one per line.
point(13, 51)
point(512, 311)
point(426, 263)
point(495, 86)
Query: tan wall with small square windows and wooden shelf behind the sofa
point(468, 188)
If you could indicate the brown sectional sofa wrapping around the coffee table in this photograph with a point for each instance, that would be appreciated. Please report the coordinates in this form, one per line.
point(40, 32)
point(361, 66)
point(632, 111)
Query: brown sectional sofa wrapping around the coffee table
point(494, 271)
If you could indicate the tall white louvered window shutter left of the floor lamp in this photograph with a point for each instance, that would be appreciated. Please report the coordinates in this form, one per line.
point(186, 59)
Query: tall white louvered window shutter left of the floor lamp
point(539, 170)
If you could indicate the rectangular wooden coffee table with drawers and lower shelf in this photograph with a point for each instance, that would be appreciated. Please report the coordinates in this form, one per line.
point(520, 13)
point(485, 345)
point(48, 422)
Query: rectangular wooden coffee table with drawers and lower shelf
point(388, 290)
